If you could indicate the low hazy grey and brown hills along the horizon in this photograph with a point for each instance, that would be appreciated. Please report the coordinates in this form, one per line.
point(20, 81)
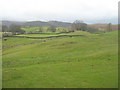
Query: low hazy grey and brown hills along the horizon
point(55, 23)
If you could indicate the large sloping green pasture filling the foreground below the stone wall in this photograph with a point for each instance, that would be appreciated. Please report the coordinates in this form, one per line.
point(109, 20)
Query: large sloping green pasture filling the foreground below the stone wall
point(89, 61)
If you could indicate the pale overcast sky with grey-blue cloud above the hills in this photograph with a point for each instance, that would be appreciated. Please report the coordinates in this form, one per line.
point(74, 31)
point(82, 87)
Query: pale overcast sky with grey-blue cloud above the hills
point(90, 11)
